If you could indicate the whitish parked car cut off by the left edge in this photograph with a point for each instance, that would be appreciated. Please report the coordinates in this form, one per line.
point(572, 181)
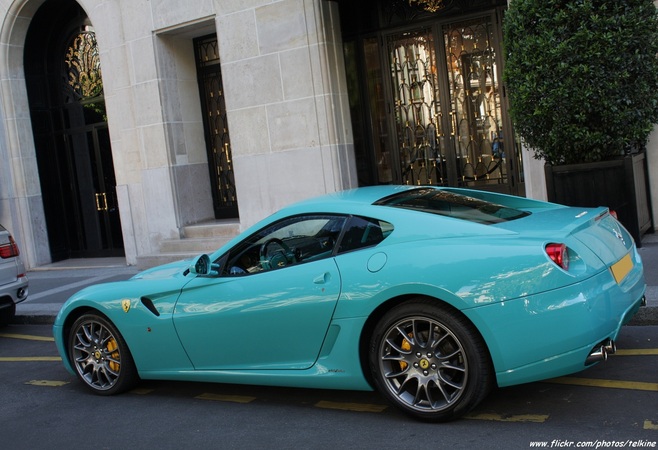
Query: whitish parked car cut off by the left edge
point(13, 277)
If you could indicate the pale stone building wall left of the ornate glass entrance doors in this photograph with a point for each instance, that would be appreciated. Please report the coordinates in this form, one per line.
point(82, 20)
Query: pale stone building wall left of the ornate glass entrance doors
point(285, 99)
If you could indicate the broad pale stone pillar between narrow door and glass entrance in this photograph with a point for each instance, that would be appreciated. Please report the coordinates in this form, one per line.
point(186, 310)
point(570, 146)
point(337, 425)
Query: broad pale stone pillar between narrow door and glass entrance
point(287, 104)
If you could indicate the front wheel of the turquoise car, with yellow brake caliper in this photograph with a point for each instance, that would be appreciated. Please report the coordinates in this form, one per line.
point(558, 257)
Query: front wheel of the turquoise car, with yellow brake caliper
point(100, 356)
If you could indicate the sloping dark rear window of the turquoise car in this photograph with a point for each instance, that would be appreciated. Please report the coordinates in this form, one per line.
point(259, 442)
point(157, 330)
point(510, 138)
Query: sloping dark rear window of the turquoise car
point(451, 204)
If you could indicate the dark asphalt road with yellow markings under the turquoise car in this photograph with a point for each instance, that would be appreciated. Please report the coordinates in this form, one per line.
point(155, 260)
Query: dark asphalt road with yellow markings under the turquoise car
point(611, 405)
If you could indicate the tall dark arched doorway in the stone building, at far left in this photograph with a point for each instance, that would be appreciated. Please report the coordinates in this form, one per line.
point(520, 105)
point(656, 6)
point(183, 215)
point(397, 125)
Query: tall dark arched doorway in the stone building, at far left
point(72, 142)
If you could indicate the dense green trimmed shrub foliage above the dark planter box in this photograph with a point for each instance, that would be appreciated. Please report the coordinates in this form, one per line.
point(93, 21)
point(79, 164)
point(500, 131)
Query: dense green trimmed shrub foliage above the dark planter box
point(582, 76)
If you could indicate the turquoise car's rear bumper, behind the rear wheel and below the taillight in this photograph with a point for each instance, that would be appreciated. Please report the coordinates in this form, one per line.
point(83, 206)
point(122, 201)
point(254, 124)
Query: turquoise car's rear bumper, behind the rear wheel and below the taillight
point(551, 334)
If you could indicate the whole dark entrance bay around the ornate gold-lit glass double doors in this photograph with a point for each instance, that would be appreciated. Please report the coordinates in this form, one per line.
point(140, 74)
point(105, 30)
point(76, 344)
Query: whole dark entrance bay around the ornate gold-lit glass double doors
point(426, 94)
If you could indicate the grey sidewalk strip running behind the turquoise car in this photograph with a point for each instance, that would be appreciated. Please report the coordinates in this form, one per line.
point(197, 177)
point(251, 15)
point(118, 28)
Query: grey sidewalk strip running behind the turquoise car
point(52, 284)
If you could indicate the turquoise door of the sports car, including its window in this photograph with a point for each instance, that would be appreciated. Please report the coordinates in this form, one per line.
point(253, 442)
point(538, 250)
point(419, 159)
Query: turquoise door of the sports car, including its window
point(274, 315)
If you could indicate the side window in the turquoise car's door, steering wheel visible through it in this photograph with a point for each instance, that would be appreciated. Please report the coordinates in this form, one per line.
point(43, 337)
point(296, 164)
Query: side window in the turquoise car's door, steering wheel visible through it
point(291, 241)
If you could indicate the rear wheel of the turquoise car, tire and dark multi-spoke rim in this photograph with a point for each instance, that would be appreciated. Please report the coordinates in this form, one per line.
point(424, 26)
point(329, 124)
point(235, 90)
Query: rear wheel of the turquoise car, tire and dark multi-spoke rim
point(429, 361)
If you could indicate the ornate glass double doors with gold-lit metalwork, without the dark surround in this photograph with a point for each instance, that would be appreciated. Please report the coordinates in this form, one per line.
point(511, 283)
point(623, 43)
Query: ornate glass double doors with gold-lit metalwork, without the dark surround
point(448, 120)
